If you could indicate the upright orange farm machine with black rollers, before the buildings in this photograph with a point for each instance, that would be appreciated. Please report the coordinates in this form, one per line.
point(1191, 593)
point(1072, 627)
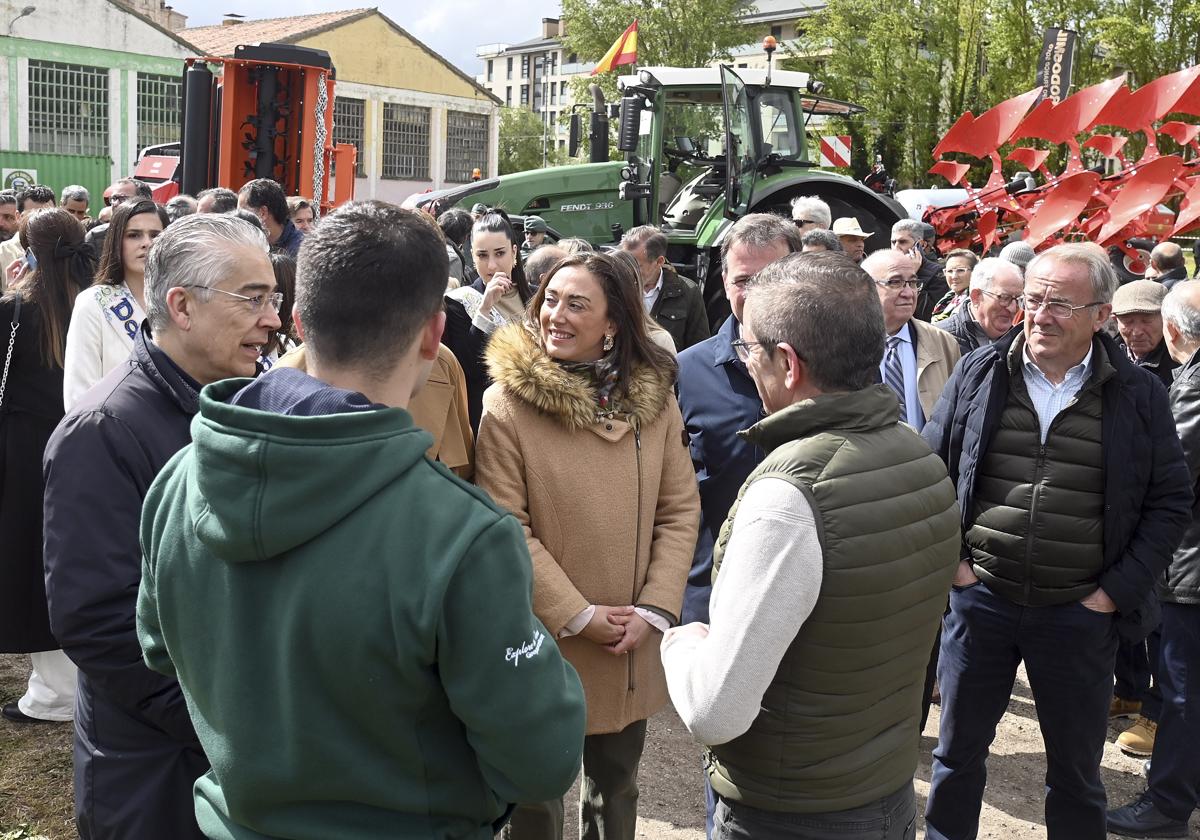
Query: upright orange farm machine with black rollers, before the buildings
point(269, 113)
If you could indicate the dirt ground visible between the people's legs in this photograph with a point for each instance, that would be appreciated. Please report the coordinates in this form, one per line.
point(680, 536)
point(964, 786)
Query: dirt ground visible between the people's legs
point(35, 775)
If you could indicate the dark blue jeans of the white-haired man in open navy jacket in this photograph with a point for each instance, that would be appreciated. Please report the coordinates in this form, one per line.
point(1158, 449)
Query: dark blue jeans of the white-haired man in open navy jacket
point(1070, 653)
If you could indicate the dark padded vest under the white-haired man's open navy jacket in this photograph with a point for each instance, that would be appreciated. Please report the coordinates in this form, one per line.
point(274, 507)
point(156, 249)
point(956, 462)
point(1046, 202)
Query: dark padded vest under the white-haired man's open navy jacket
point(1053, 490)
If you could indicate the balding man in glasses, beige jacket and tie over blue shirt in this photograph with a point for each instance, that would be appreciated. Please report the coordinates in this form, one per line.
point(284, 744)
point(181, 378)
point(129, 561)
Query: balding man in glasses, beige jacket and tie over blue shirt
point(919, 358)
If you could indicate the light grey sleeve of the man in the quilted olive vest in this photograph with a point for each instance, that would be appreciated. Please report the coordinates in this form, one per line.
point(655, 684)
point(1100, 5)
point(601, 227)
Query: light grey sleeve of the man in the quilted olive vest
point(767, 589)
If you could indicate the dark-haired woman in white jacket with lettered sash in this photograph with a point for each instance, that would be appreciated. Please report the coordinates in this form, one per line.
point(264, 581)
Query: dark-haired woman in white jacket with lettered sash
point(107, 316)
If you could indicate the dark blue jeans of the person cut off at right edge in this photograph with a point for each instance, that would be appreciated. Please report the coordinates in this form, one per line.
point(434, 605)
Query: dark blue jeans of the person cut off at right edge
point(1175, 769)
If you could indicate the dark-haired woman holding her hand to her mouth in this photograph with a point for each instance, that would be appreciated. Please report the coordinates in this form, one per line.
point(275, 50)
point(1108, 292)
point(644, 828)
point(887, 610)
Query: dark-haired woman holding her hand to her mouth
point(497, 297)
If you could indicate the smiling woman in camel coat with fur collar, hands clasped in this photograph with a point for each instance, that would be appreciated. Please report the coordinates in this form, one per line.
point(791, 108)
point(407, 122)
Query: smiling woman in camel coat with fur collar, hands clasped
point(583, 440)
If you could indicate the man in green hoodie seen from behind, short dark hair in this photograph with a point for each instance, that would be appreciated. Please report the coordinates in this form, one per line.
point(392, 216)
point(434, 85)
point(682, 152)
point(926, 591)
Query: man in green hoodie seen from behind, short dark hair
point(352, 626)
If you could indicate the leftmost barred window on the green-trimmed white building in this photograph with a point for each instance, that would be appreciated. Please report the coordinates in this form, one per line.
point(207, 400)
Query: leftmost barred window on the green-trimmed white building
point(68, 109)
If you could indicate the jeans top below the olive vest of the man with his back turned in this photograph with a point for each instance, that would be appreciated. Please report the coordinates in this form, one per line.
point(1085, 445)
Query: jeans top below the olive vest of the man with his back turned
point(893, 818)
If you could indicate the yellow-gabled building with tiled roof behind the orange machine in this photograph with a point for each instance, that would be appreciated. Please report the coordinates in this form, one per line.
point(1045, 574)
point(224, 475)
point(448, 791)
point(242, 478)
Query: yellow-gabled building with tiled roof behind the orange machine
point(418, 122)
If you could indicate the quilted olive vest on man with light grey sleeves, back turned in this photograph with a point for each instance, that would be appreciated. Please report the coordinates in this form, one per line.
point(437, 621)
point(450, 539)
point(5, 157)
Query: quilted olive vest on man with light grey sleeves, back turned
point(839, 725)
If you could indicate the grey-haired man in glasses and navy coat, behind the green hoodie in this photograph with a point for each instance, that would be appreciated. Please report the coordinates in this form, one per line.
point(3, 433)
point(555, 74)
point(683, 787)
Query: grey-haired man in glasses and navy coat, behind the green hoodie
point(212, 307)
